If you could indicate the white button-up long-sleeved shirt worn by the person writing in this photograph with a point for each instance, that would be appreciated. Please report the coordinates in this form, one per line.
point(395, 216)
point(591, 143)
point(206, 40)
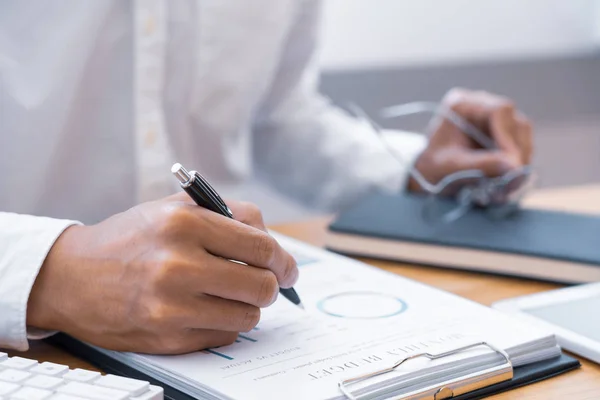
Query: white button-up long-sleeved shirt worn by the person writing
point(99, 98)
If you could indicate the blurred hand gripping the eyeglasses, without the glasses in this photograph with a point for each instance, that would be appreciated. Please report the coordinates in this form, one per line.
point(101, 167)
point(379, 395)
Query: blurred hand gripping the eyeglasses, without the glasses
point(450, 150)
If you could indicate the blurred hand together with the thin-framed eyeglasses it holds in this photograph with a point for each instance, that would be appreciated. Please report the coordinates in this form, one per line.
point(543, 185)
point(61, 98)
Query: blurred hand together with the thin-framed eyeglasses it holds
point(478, 154)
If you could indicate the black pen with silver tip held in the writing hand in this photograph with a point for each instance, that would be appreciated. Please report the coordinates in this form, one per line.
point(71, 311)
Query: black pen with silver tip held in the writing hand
point(198, 188)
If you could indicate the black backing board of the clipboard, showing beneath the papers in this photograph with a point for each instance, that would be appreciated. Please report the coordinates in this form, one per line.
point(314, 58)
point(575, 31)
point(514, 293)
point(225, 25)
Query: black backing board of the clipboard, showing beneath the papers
point(522, 375)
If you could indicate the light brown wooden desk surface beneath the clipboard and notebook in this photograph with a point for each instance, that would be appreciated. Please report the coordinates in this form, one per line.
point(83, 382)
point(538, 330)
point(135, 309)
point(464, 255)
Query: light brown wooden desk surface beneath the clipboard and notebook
point(581, 384)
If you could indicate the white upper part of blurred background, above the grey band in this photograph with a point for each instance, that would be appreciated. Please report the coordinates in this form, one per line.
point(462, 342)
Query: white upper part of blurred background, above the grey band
point(397, 33)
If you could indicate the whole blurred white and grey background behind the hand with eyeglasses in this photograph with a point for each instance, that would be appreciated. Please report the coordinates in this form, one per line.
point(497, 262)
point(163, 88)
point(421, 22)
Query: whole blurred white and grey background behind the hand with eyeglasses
point(545, 54)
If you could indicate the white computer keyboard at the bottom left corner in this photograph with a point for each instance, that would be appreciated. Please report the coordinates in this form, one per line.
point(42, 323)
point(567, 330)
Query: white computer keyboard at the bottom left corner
point(25, 379)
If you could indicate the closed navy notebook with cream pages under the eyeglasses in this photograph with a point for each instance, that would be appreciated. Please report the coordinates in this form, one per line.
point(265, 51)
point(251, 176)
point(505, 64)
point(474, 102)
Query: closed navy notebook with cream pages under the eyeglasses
point(546, 245)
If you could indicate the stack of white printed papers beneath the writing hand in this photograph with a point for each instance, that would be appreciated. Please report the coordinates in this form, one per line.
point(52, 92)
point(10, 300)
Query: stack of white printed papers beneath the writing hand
point(358, 320)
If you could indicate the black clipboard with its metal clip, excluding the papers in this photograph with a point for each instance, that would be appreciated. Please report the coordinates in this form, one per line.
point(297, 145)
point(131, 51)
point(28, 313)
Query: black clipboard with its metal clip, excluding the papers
point(477, 386)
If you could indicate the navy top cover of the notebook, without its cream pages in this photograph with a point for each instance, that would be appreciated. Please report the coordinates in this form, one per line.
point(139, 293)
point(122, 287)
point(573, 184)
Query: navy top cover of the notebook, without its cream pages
point(537, 233)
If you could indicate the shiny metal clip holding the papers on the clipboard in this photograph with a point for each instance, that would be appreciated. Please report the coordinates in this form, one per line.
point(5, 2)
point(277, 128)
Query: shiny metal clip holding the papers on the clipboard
point(446, 390)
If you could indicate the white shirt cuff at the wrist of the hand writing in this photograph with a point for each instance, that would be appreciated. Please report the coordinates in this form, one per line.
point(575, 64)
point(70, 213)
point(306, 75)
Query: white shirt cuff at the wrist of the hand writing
point(24, 244)
